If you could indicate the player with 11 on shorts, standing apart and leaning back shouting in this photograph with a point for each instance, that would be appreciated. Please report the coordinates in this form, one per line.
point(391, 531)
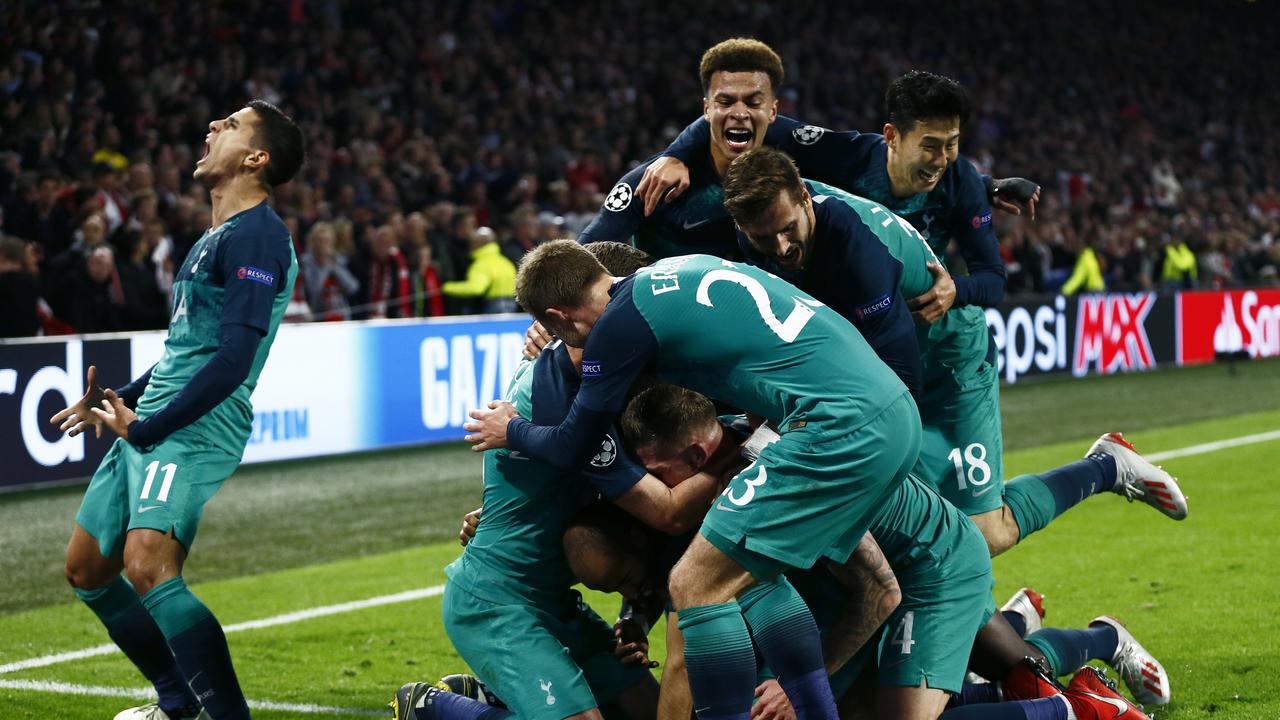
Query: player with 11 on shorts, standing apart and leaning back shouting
point(194, 418)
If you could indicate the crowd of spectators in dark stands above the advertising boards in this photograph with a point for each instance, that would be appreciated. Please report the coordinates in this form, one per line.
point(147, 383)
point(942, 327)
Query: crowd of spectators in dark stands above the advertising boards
point(447, 139)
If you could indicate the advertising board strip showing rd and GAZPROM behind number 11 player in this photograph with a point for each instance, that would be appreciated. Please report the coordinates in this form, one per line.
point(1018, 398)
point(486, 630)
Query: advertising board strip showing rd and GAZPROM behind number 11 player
point(327, 389)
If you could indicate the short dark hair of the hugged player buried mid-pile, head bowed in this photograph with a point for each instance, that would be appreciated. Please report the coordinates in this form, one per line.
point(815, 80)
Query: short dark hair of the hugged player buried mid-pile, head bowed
point(665, 416)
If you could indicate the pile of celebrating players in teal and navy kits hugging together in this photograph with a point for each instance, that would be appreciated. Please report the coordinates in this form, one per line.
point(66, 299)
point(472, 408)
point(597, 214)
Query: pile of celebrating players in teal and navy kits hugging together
point(844, 332)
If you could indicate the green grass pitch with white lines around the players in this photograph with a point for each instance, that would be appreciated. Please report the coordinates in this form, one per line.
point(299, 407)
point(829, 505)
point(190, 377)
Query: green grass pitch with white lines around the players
point(318, 535)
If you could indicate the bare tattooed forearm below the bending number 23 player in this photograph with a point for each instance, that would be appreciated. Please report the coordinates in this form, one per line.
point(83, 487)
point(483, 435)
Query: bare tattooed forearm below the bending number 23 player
point(874, 595)
